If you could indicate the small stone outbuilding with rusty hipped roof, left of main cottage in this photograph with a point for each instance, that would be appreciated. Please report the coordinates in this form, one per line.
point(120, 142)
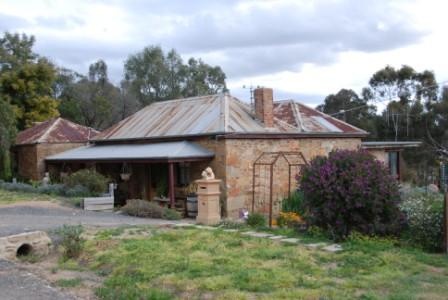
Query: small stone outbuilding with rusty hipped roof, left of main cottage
point(47, 138)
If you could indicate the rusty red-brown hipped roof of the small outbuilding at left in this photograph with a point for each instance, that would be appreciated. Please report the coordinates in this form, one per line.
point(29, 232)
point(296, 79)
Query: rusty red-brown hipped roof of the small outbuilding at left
point(56, 130)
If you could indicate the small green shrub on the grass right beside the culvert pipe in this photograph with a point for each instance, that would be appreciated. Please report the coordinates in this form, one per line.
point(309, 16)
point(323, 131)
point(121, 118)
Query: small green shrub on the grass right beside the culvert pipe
point(72, 242)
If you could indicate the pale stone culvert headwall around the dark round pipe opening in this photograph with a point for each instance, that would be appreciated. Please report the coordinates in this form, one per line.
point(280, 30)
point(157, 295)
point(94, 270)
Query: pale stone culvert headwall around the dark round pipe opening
point(36, 242)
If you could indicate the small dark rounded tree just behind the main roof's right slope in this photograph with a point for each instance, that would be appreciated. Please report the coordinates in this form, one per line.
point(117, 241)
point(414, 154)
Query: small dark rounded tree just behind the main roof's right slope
point(346, 105)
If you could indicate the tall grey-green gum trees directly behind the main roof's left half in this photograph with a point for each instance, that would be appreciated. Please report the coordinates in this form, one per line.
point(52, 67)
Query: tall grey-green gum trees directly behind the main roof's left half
point(154, 76)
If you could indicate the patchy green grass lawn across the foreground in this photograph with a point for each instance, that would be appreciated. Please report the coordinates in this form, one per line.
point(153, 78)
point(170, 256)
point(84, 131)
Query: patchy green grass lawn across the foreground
point(205, 264)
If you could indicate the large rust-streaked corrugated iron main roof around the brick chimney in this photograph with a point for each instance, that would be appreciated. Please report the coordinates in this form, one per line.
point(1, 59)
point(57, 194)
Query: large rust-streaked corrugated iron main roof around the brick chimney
point(220, 114)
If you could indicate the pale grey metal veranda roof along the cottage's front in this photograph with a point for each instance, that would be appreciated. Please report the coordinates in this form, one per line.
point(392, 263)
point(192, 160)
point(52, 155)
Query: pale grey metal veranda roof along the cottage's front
point(170, 151)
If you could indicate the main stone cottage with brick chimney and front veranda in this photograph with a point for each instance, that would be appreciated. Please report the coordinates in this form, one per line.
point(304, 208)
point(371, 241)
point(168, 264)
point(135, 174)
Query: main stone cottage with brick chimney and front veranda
point(166, 145)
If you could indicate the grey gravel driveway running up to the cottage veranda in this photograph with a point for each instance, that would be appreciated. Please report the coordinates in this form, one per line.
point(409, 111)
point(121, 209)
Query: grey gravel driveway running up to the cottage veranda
point(30, 216)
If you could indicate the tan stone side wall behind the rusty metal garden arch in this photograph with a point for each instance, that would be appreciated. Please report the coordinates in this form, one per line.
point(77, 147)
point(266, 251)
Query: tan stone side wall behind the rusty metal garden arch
point(241, 154)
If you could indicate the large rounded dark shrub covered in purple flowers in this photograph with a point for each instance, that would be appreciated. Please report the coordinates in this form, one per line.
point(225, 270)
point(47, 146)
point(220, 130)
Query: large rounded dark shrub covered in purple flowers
point(351, 191)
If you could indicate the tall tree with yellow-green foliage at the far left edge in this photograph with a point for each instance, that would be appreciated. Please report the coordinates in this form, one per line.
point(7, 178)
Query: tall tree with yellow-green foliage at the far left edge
point(26, 80)
